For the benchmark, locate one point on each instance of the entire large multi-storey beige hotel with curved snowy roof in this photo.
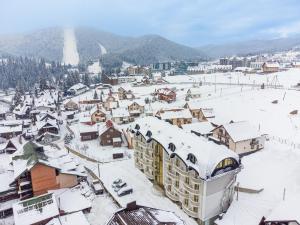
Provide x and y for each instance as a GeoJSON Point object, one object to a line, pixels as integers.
{"type": "Point", "coordinates": [196, 174]}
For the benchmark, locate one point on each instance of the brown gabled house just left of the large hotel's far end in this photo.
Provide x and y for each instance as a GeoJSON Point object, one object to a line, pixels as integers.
{"type": "Point", "coordinates": [109, 134]}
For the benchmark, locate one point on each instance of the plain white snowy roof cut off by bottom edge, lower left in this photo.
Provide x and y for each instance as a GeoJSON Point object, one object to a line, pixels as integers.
{"type": "Point", "coordinates": [77, 218]}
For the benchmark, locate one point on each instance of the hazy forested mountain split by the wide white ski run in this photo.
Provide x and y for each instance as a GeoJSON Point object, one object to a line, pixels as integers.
{"type": "Point", "coordinates": [48, 44]}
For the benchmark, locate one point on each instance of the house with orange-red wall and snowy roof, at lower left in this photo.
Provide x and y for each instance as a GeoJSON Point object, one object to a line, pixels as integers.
{"type": "Point", "coordinates": [38, 169]}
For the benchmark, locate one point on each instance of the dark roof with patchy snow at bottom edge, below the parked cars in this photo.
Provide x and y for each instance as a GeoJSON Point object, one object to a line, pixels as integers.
{"type": "Point", "coordinates": [142, 214]}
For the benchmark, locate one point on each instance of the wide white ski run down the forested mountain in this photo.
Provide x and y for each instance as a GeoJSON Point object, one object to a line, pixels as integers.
{"type": "Point", "coordinates": [70, 53]}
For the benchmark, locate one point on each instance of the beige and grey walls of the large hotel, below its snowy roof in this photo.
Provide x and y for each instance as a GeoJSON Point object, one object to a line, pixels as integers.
{"type": "Point", "coordinates": [200, 198]}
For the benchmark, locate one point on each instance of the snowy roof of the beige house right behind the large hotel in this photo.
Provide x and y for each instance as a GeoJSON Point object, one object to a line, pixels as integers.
{"type": "Point", "coordinates": [240, 131]}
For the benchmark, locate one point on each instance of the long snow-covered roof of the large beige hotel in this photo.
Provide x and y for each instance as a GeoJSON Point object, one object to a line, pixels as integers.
{"type": "Point", "coordinates": [207, 153]}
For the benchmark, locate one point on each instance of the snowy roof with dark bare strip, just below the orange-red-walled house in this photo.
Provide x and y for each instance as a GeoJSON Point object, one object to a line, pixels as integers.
{"type": "Point", "coordinates": [35, 209]}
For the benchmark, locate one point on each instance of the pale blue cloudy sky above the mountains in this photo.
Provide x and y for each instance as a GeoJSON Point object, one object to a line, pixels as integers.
{"type": "Point", "coordinates": [190, 22]}
